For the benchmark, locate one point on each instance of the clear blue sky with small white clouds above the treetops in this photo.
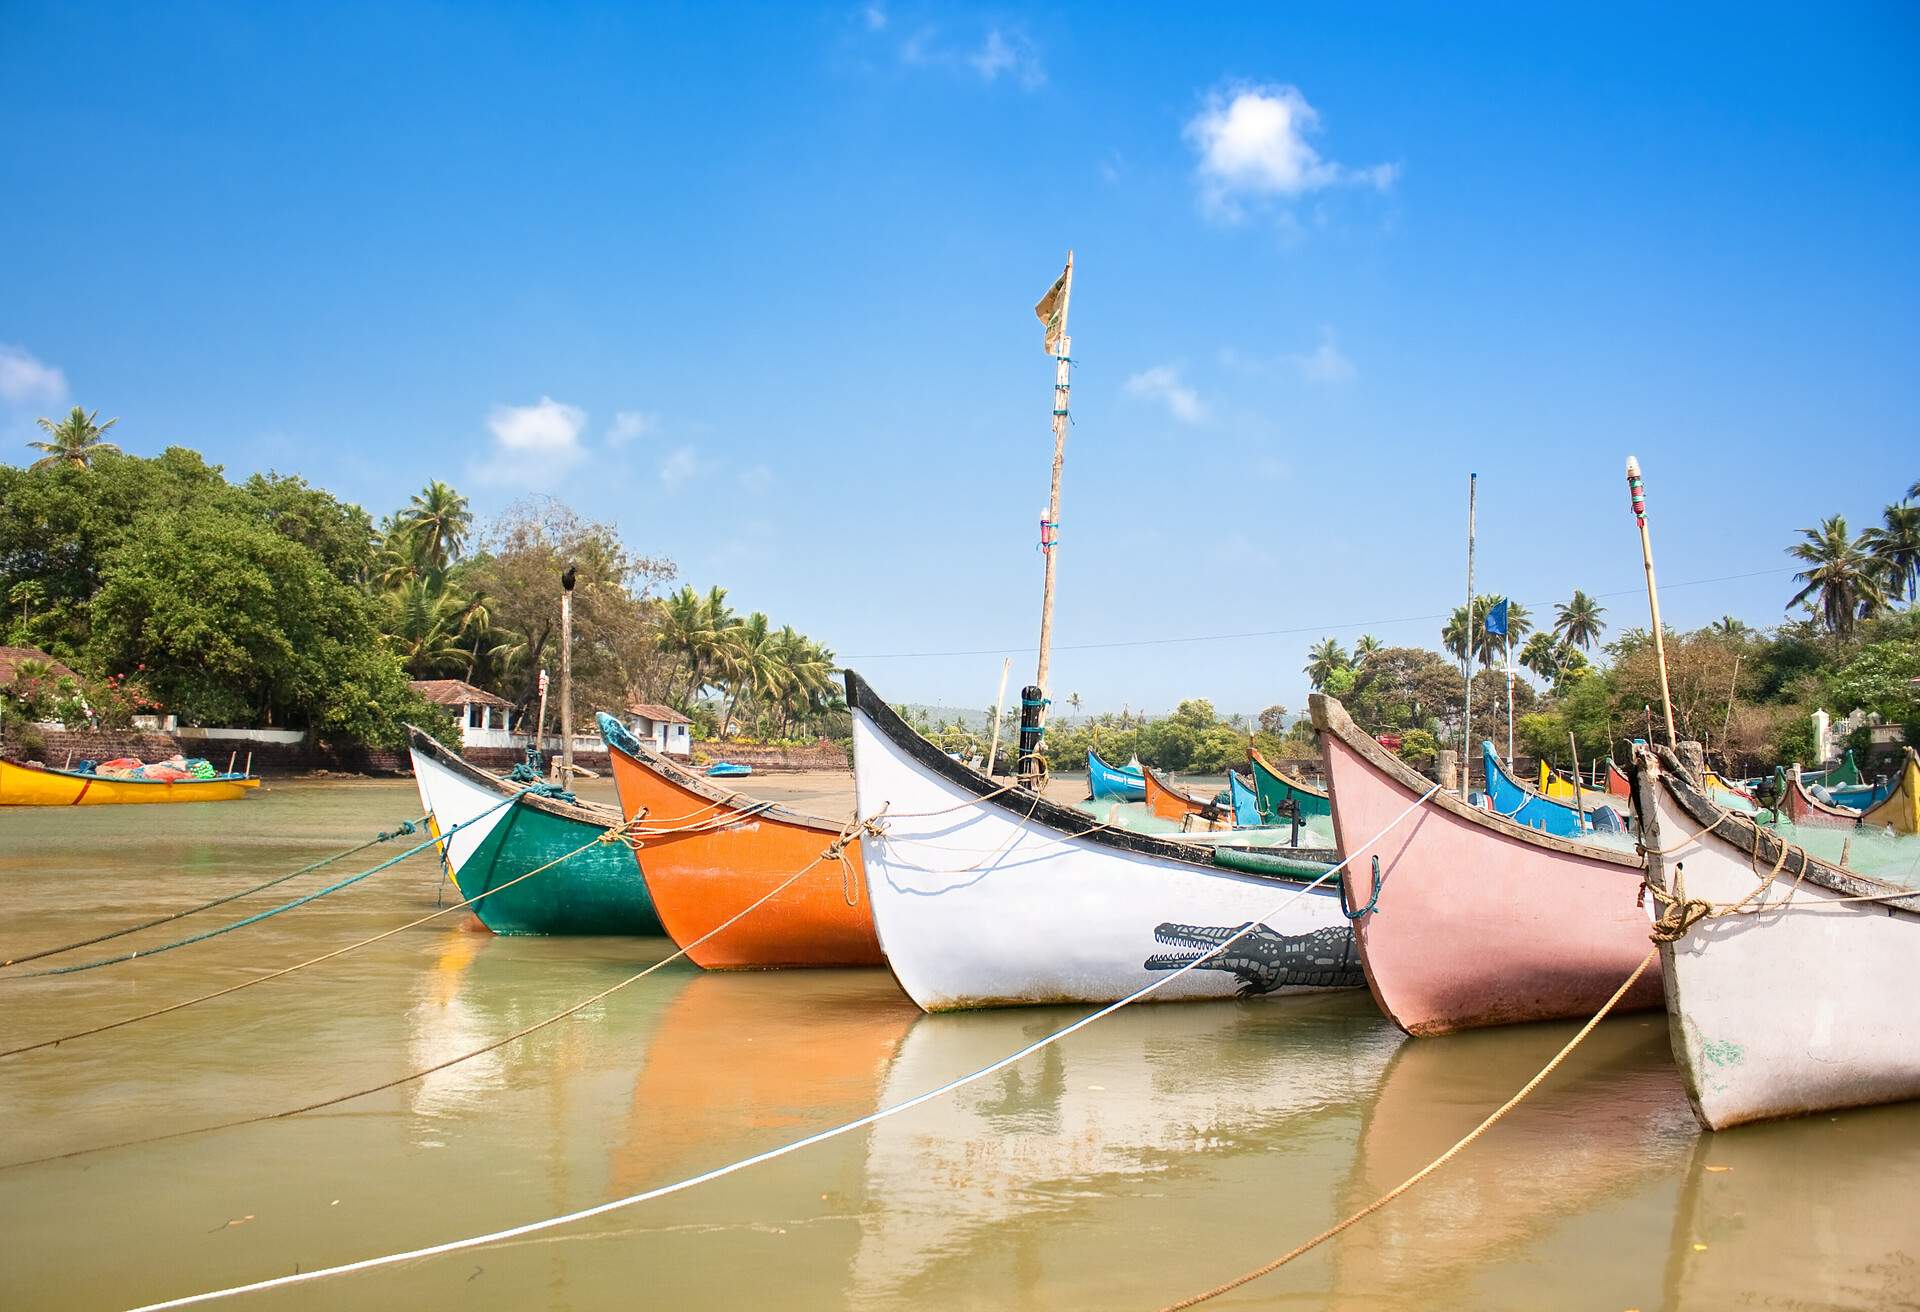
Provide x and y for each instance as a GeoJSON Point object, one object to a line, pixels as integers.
{"type": "Point", "coordinates": [757, 287]}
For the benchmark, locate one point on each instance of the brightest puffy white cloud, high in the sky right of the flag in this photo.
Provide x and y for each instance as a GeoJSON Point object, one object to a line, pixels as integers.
{"type": "Point", "coordinates": [1253, 143]}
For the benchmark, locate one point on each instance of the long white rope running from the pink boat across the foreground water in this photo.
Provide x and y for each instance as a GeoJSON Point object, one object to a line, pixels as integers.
{"type": "Point", "coordinates": [796, 1146]}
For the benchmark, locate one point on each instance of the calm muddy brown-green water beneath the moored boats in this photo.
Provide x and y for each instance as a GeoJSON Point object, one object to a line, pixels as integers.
{"type": "Point", "coordinates": [1140, 1161]}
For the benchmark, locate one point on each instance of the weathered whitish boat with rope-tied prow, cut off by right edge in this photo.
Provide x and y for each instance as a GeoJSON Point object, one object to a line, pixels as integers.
{"type": "Point", "coordinates": [1804, 1004]}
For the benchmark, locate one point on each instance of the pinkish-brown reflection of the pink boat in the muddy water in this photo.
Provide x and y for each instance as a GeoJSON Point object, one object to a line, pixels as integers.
{"type": "Point", "coordinates": [1547, 1200]}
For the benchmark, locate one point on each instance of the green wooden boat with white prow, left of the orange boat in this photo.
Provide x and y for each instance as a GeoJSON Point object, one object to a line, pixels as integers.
{"type": "Point", "coordinates": [592, 892]}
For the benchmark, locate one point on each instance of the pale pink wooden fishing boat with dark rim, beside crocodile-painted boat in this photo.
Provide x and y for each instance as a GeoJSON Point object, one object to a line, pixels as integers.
{"type": "Point", "coordinates": [1476, 921]}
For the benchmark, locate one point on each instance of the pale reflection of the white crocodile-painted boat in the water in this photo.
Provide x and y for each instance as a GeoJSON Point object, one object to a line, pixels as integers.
{"type": "Point", "coordinates": [1078, 1177]}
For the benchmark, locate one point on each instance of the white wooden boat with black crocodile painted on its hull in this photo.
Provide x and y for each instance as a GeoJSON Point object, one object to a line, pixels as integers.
{"type": "Point", "coordinates": [990, 896]}
